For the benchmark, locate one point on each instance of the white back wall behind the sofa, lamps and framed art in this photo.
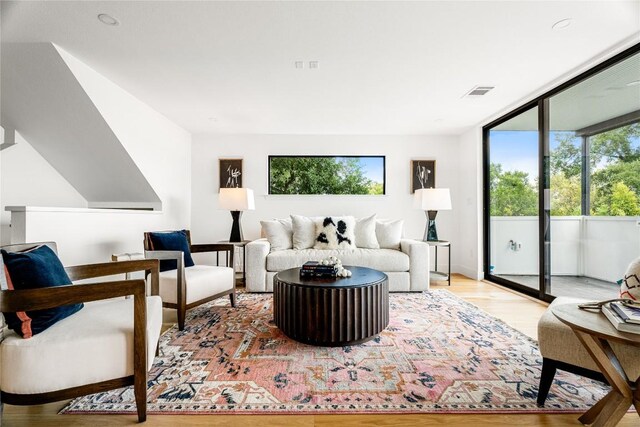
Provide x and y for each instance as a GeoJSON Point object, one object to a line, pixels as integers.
{"type": "Point", "coordinates": [209, 223]}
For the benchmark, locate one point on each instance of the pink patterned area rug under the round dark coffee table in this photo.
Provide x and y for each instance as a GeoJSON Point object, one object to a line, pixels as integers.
{"type": "Point", "coordinates": [439, 354]}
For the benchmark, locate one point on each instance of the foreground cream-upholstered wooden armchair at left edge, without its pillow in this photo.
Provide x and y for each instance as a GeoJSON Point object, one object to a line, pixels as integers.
{"type": "Point", "coordinates": [109, 343]}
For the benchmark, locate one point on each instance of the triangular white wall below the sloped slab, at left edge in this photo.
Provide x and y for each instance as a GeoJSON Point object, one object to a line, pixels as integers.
{"type": "Point", "coordinates": [28, 179]}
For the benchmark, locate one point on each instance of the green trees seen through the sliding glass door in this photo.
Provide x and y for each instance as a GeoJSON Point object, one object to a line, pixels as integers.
{"type": "Point", "coordinates": [615, 177]}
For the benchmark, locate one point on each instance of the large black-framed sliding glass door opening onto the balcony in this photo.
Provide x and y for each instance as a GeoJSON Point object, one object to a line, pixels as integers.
{"type": "Point", "coordinates": [562, 186]}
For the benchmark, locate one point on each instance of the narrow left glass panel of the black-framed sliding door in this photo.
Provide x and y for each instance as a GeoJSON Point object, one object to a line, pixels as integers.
{"type": "Point", "coordinates": [513, 149]}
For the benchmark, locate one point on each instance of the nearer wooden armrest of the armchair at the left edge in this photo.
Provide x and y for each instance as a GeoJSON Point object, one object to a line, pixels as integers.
{"type": "Point", "coordinates": [43, 298]}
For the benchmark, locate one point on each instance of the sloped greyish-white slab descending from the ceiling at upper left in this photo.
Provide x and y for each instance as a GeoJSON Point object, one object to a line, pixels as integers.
{"type": "Point", "coordinates": [43, 100]}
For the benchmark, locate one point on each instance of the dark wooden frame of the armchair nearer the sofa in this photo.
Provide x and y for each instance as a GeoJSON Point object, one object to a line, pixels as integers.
{"type": "Point", "coordinates": [181, 306]}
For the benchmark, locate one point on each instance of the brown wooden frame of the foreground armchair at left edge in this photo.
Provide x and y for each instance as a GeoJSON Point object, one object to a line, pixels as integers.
{"type": "Point", "coordinates": [39, 299]}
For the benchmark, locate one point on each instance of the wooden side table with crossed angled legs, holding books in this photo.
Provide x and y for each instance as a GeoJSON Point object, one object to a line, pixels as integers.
{"type": "Point", "coordinates": [595, 333]}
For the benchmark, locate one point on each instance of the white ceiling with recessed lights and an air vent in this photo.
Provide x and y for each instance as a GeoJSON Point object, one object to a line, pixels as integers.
{"type": "Point", "coordinates": [385, 67]}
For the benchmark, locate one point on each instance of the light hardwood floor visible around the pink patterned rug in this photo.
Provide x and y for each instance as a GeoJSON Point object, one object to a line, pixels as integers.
{"type": "Point", "coordinates": [518, 311]}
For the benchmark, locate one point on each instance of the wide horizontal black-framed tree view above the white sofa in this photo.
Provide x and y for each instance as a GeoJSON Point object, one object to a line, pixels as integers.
{"type": "Point", "coordinates": [327, 175]}
